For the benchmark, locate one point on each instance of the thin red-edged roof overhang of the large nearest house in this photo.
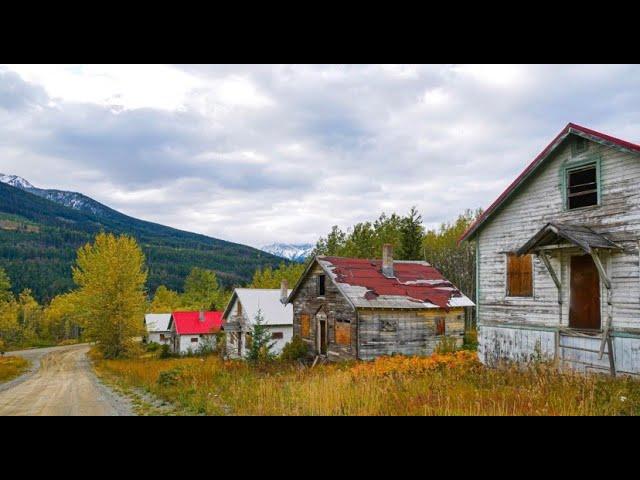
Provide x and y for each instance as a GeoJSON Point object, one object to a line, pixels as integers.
{"type": "Point", "coordinates": [570, 129]}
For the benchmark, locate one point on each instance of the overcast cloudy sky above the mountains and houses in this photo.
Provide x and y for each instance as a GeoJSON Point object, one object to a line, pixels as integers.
{"type": "Point", "coordinates": [258, 154]}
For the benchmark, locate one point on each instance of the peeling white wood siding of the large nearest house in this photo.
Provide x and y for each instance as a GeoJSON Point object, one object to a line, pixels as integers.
{"type": "Point", "coordinates": [540, 201]}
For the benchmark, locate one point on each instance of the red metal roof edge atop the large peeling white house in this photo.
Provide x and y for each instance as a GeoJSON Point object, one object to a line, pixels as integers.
{"type": "Point", "coordinates": [570, 128]}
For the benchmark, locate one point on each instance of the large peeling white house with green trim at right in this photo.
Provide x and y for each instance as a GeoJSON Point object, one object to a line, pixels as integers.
{"type": "Point", "coordinates": [558, 264]}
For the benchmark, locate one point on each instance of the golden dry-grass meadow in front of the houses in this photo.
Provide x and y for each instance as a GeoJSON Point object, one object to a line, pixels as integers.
{"type": "Point", "coordinates": [443, 384]}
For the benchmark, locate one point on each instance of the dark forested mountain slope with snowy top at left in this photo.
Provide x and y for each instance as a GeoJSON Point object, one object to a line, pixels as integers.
{"type": "Point", "coordinates": [39, 238]}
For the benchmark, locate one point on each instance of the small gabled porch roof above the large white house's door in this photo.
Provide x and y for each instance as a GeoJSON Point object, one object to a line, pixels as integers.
{"type": "Point", "coordinates": [576, 235]}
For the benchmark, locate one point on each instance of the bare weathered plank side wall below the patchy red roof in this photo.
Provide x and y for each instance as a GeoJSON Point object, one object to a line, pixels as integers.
{"type": "Point", "coordinates": [406, 332]}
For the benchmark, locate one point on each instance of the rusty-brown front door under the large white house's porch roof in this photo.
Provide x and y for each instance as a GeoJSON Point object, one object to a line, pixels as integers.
{"type": "Point", "coordinates": [584, 310]}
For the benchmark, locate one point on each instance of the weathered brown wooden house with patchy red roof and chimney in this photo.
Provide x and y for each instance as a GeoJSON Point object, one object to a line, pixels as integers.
{"type": "Point", "coordinates": [351, 308]}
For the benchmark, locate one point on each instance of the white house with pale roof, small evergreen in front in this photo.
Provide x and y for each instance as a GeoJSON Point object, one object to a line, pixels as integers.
{"type": "Point", "coordinates": [242, 310]}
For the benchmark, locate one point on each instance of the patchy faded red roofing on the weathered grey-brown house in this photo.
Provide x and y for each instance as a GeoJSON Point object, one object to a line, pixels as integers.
{"type": "Point", "coordinates": [417, 281]}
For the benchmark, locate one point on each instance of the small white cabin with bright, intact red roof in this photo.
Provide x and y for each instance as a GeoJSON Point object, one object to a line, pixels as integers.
{"type": "Point", "coordinates": [192, 332]}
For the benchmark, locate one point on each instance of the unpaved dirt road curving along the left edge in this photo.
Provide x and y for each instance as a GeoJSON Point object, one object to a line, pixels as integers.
{"type": "Point", "coordinates": [62, 384]}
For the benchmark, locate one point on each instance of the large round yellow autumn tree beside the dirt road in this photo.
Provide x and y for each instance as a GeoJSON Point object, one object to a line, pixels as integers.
{"type": "Point", "coordinates": [111, 275]}
